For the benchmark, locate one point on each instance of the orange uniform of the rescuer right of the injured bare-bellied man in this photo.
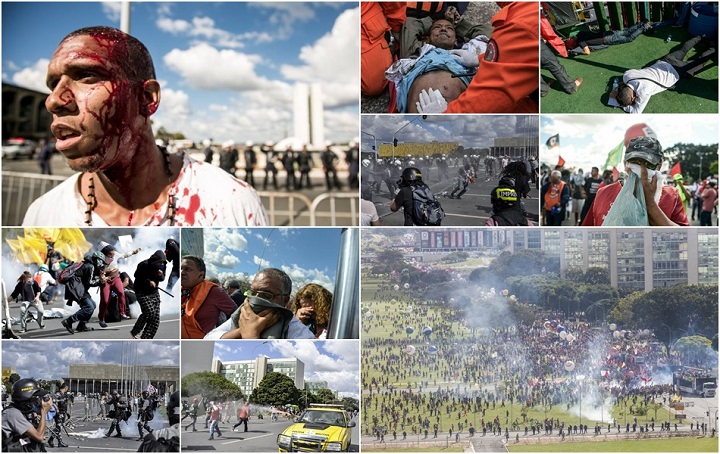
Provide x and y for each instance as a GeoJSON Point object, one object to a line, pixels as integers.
{"type": "Point", "coordinates": [508, 71]}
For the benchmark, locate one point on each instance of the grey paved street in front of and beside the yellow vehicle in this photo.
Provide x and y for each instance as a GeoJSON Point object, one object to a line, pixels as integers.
{"type": "Point", "coordinates": [260, 437]}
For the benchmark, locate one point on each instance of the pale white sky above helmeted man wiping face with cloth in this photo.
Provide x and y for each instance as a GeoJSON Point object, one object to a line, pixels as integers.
{"type": "Point", "coordinates": [586, 140]}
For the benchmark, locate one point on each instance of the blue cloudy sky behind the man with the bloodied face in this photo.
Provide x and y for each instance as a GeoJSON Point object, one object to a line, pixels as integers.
{"type": "Point", "coordinates": [227, 69]}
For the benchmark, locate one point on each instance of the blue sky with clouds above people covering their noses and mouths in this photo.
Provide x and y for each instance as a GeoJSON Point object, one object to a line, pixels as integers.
{"type": "Point", "coordinates": [306, 255]}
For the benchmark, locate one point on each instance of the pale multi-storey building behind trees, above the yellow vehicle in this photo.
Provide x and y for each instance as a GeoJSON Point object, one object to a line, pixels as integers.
{"type": "Point", "coordinates": [248, 374]}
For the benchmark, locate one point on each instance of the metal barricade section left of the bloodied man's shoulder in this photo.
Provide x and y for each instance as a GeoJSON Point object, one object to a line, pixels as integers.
{"type": "Point", "coordinates": [19, 191]}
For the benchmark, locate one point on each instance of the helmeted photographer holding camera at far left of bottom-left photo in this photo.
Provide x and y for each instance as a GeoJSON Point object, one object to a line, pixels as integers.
{"type": "Point", "coordinates": [24, 420]}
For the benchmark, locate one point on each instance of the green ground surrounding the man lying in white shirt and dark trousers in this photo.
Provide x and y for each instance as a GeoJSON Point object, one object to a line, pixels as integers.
{"type": "Point", "coordinates": [695, 95]}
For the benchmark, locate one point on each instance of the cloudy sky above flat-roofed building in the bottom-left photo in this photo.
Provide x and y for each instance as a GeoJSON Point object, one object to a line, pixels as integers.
{"type": "Point", "coordinates": [49, 360]}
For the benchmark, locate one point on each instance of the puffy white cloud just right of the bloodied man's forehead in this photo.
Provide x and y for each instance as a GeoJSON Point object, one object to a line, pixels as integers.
{"type": "Point", "coordinates": [206, 67]}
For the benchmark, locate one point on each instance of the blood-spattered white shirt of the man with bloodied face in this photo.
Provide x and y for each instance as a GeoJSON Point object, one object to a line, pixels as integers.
{"type": "Point", "coordinates": [205, 195]}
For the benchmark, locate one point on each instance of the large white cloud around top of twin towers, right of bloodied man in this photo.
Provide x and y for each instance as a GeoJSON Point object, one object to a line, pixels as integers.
{"type": "Point", "coordinates": [333, 61]}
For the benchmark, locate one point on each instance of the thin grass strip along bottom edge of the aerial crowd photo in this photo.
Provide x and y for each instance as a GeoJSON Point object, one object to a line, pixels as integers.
{"type": "Point", "coordinates": [670, 445]}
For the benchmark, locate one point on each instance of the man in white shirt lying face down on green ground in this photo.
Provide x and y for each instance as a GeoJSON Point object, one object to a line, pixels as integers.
{"type": "Point", "coordinates": [639, 85]}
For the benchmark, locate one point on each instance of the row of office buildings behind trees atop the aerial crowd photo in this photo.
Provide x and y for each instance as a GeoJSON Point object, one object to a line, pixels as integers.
{"type": "Point", "coordinates": [638, 258]}
